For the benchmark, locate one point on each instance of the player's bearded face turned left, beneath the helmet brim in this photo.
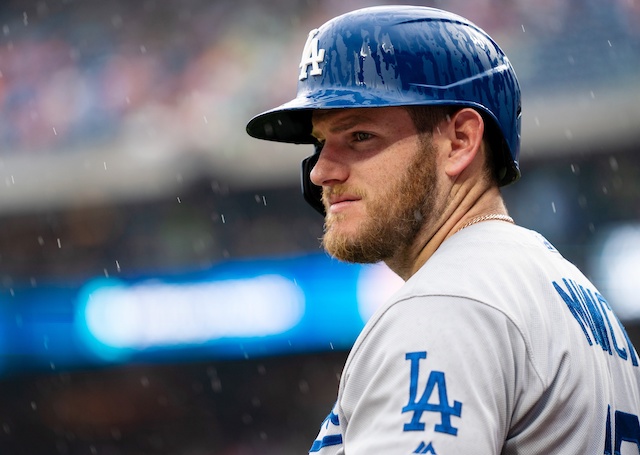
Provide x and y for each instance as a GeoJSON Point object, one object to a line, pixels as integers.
{"type": "Point", "coordinates": [378, 179]}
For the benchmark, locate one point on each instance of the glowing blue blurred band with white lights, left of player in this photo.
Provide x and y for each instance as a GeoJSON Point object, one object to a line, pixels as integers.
{"type": "Point", "coordinates": [235, 309]}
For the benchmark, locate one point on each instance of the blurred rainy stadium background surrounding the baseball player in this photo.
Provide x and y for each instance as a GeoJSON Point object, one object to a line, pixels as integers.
{"type": "Point", "coordinates": [162, 288]}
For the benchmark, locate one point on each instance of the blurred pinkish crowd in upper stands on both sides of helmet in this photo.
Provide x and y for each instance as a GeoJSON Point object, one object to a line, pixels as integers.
{"type": "Point", "coordinates": [77, 73]}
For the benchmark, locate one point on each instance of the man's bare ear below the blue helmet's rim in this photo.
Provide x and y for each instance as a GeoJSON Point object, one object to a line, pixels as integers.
{"type": "Point", "coordinates": [464, 131]}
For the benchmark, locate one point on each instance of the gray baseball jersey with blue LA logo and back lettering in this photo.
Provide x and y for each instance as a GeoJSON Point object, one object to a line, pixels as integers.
{"type": "Point", "coordinates": [497, 345]}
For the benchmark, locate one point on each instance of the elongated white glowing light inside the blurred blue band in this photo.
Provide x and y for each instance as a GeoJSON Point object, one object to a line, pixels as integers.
{"type": "Point", "coordinates": [153, 314]}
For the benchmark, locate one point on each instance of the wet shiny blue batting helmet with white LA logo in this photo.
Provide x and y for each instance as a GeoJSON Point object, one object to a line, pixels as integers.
{"type": "Point", "coordinates": [399, 56]}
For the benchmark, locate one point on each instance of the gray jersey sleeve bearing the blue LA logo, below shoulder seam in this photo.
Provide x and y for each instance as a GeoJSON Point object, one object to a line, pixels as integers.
{"type": "Point", "coordinates": [435, 375]}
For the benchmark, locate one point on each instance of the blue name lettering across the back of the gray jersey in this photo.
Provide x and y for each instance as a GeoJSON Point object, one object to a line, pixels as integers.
{"type": "Point", "coordinates": [594, 315]}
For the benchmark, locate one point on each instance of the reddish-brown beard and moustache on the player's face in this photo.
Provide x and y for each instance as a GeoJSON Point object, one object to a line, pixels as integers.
{"type": "Point", "coordinates": [392, 220]}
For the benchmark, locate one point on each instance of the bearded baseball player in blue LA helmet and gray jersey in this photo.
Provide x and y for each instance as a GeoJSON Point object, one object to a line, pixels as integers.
{"type": "Point", "coordinates": [495, 344]}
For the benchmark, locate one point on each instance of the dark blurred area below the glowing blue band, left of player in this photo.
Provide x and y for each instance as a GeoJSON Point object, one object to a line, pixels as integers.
{"type": "Point", "coordinates": [268, 406]}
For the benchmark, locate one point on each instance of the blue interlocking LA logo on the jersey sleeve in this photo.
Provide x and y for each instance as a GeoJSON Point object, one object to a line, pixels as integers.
{"type": "Point", "coordinates": [419, 406]}
